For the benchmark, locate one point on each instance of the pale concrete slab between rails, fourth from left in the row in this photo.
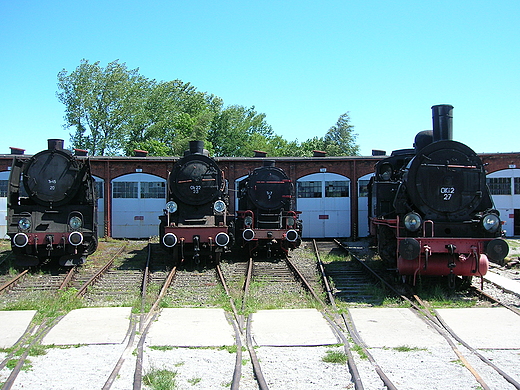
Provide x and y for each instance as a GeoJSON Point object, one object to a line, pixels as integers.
{"type": "Point", "coordinates": [297, 327]}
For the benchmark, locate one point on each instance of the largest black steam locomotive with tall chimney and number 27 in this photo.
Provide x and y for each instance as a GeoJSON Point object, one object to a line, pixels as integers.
{"type": "Point", "coordinates": [430, 209]}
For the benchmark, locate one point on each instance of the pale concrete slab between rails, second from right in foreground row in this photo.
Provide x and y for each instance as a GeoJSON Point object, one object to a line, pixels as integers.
{"type": "Point", "coordinates": [394, 327]}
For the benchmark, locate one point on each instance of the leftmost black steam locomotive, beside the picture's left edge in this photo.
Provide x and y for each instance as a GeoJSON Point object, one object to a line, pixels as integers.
{"type": "Point", "coordinates": [51, 207]}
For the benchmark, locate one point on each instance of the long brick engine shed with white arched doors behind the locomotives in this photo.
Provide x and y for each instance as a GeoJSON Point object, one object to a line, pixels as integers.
{"type": "Point", "coordinates": [330, 191]}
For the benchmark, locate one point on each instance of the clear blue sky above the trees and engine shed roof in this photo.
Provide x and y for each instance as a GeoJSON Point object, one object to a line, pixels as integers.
{"type": "Point", "coordinates": [301, 63]}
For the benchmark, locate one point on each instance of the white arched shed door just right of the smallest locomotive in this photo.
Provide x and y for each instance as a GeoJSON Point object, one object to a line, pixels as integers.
{"type": "Point", "coordinates": [323, 198]}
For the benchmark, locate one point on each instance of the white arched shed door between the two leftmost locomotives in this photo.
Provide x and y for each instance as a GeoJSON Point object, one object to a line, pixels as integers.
{"type": "Point", "coordinates": [137, 201]}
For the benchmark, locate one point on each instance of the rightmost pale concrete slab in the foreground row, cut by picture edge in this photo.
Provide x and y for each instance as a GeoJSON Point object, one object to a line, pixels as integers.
{"type": "Point", "coordinates": [493, 328]}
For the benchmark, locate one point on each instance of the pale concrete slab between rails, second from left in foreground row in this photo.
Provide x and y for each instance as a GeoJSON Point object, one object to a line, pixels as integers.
{"type": "Point", "coordinates": [92, 325]}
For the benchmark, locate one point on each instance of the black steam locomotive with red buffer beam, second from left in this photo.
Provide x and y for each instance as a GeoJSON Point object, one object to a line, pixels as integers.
{"type": "Point", "coordinates": [195, 218]}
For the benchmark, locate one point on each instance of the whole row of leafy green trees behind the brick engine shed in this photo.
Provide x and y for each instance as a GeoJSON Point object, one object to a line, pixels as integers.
{"type": "Point", "coordinates": [115, 110]}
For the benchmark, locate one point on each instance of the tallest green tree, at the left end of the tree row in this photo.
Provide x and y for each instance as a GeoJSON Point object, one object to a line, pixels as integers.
{"type": "Point", "coordinates": [99, 103]}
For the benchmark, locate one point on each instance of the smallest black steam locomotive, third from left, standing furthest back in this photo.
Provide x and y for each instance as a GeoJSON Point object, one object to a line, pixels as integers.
{"type": "Point", "coordinates": [266, 218]}
